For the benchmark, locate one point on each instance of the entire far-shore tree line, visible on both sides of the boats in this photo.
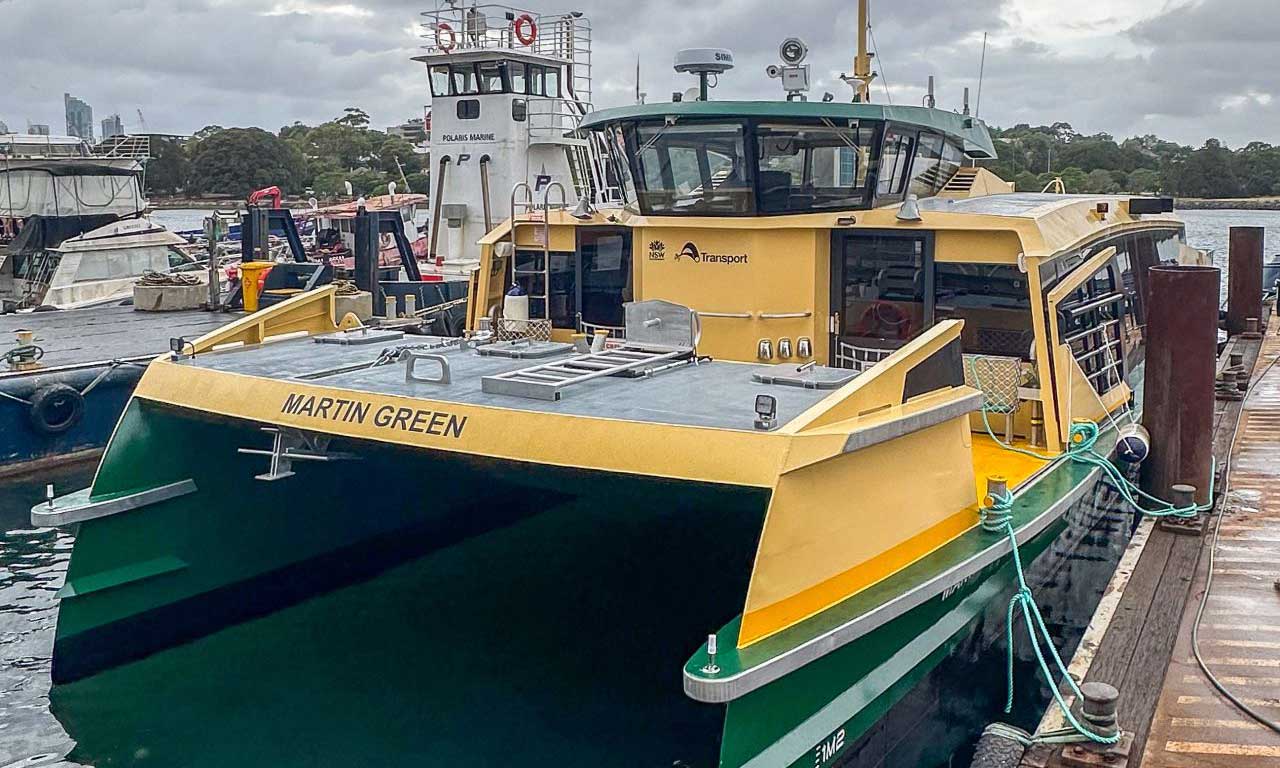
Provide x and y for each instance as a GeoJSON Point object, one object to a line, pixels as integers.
{"type": "Point", "coordinates": [232, 162]}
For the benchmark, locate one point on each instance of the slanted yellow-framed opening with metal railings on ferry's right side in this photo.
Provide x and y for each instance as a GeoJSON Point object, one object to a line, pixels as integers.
{"type": "Point", "coordinates": [1086, 317]}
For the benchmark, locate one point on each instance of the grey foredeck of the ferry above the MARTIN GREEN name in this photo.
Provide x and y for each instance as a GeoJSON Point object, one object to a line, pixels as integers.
{"type": "Point", "coordinates": [715, 395]}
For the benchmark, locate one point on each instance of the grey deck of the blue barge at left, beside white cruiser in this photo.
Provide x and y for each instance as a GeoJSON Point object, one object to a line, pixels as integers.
{"type": "Point", "coordinates": [74, 337]}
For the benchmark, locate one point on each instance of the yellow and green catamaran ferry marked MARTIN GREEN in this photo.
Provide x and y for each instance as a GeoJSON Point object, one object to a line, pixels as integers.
{"type": "Point", "coordinates": [726, 446]}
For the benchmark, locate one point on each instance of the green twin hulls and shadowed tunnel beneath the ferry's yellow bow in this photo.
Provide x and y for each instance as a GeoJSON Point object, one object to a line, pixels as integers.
{"type": "Point", "coordinates": [612, 578]}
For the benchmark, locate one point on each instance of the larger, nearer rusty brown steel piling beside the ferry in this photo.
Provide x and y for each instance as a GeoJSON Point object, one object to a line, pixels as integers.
{"type": "Point", "coordinates": [1180, 386]}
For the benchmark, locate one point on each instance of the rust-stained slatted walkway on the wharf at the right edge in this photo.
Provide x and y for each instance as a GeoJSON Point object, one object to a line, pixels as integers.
{"type": "Point", "coordinates": [1241, 633]}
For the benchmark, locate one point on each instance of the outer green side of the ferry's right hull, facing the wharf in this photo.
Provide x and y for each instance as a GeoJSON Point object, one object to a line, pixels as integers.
{"type": "Point", "coordinates": [877, 698]}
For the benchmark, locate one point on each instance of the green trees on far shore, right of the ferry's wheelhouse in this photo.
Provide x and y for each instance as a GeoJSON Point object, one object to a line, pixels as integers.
{"type": "Point", "coordinates": [1034, 157]}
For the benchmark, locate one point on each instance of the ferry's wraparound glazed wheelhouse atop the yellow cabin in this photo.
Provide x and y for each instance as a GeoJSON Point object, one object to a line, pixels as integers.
{"type": "Point", "coordinates": [764, 159]}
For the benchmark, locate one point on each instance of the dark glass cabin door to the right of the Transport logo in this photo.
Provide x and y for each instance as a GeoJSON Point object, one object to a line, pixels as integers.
{"type": "Point", "coordinates": [883, 295]}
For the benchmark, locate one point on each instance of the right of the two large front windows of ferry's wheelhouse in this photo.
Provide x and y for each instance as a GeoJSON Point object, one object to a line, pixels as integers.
{"type": "Point", "coordinates": [806, 168]}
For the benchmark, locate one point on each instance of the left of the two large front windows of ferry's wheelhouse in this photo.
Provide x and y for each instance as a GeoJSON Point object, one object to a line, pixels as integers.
{"type": "Point", "coordinates": [694, 170]}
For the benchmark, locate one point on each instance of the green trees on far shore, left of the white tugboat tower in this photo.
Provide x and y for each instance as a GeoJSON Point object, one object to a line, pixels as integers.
{"type": "Point", "coordinates": [300, 159]}
